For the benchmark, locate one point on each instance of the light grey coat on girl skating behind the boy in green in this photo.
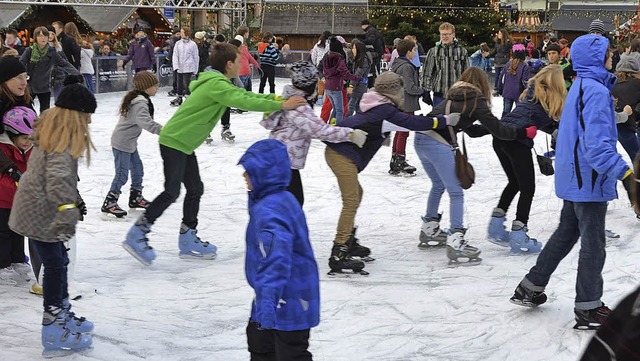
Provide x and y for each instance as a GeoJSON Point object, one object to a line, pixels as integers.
{"type": "Point", "coordinates": [125, 135]}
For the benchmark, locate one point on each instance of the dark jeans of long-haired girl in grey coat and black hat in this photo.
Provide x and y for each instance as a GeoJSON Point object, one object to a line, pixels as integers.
{"type": "Point", "coordinates": [54, 260]}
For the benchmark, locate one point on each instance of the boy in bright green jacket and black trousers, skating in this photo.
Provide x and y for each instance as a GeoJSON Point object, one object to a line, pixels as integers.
{"type": "Point", "coordinates": [211, 94]}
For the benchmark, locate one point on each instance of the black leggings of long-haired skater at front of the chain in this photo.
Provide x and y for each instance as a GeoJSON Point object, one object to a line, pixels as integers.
{"type": "Point", "coordinates": [517, 162]}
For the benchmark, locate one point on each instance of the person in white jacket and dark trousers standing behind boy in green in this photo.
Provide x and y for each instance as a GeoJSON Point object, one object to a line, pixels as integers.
{"type": "Point", "coordinates": [185, 62]}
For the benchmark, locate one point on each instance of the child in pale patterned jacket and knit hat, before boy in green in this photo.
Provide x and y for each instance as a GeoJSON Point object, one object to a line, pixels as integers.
{"type": "Point", "coordinates": [295, 128]}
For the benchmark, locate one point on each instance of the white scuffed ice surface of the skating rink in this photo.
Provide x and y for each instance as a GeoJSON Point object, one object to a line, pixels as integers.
{"type": "Point", "coordinates": [412, 306]}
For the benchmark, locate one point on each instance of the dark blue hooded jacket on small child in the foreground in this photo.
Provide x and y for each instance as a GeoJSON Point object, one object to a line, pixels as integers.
{"type": "Point", "coordinates": [279, 265]}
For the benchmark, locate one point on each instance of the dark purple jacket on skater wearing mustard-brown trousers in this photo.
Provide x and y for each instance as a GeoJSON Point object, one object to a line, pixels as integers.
{"type": "Point", "coordinates": [376, 109]}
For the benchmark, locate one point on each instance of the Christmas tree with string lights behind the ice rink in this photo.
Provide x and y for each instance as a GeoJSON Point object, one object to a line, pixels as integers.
{"type": "Point", "coordinates": [475, 21]}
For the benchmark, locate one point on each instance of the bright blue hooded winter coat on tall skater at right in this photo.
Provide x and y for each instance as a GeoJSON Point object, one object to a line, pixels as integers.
{"type": "Point", "coordinates": [587, 162]}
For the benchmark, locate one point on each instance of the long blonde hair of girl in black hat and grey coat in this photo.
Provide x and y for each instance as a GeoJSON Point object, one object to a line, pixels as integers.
{"type": "Point", "coordinates": [60, 130]}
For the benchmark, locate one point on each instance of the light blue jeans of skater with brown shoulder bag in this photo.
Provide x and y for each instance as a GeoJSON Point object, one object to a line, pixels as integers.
{"type": "Point", "coordinates": [438, 160]}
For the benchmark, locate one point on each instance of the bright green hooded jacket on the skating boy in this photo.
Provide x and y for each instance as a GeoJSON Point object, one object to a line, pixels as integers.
{"type": "Point", "coordinates": [210, 96]}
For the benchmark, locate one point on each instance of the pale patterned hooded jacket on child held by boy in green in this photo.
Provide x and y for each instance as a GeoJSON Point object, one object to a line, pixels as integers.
{"type": "Point", "coordinates": [295, 128]}
